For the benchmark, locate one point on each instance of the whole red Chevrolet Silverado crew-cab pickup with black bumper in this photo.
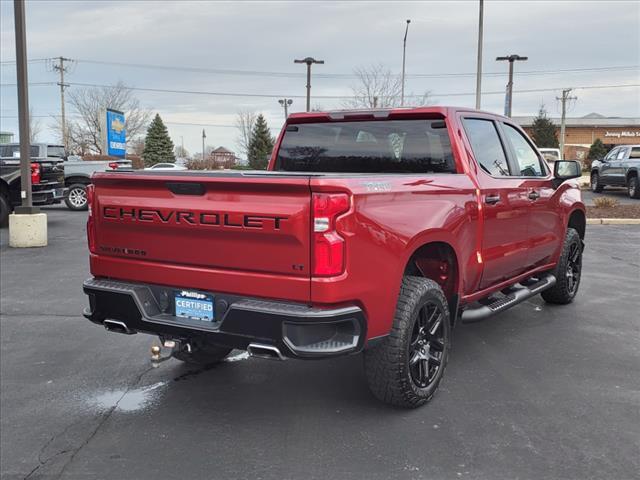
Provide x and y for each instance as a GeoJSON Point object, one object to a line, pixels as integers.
{"type": "Point", "coordinates": [372, 231]}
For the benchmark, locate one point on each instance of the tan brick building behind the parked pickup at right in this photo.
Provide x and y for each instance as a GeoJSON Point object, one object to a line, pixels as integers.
{"type": "Point", "coordinates": [581, 132]}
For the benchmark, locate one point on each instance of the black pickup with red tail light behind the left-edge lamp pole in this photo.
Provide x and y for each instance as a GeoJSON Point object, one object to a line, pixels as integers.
{"type": "Point", "coordinates": [47, 179]}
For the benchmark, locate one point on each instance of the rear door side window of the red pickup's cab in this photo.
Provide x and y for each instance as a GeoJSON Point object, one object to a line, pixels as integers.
{"type": "Point", "coordinates": [486, 146]}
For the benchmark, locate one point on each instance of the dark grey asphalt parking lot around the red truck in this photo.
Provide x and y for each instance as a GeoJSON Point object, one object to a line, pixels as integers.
{"type": "Point", "coordinates": [537, 392]}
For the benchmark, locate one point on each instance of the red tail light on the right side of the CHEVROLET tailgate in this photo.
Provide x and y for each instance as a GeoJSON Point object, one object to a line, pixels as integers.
{"type": "Point", "coordinates": [328, 245]}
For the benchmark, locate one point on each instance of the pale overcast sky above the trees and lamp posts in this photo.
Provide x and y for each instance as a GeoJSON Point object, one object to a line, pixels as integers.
{"type": "Point", "coordinates": [267, 36]}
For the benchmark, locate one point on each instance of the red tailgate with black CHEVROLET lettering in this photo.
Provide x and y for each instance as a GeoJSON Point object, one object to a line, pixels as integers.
{"type": "Point", "coordinates": [231, 221]}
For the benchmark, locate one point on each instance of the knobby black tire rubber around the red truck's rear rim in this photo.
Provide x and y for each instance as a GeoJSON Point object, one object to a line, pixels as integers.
{"type": "Point", "coordinates": [387, 364]}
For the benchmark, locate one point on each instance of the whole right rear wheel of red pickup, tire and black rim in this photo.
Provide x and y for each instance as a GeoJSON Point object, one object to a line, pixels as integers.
{"type": "Point", "coordinates": [407, 367]}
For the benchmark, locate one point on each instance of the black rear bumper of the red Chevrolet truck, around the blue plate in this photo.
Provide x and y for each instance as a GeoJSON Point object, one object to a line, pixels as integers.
{"type": "Point", "coordinates": [296, 330]}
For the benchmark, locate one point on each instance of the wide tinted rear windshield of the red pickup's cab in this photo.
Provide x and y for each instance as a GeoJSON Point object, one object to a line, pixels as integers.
{"type": "Point", "coordinates": [383, 146]}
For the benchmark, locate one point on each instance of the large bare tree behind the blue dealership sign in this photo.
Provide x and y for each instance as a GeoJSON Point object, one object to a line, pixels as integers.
{"type": "Point", "coordinates": [85, 133]}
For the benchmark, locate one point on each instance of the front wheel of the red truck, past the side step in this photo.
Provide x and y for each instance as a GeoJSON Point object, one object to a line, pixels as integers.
{"type": "Point", "coordinates": [567, 272]}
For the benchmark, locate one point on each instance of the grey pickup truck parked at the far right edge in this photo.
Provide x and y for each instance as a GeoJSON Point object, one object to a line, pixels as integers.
{"type": "Point", "coordinates": [619, 168]}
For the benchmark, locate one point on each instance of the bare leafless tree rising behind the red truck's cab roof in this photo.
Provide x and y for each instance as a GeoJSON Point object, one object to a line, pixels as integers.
{"type": "Point", "coordinates": [379, 87]}
